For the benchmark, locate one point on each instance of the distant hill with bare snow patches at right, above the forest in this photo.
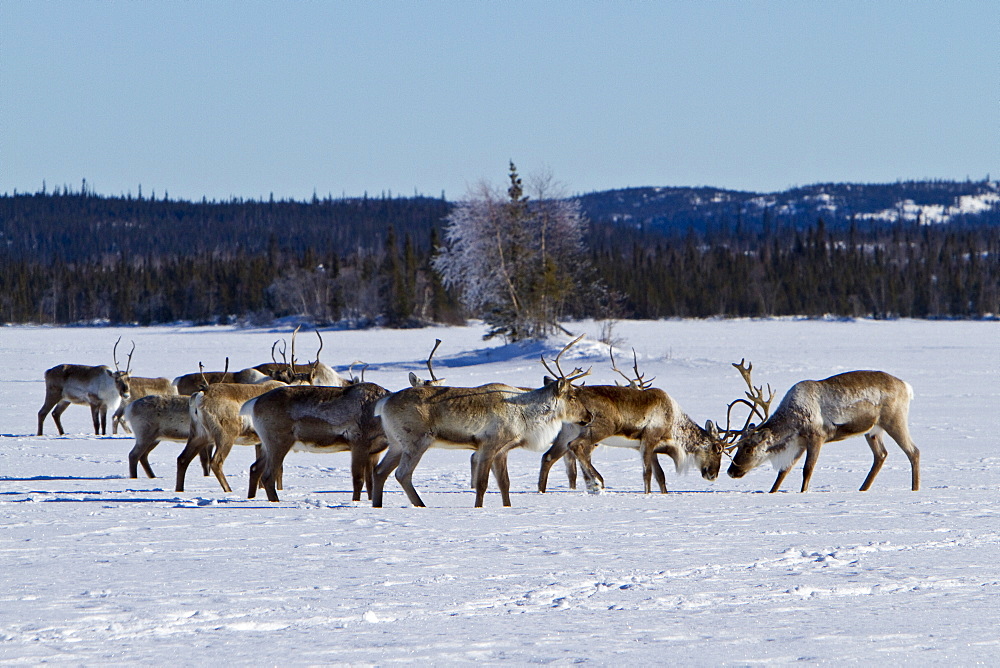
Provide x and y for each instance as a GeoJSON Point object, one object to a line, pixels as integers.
{"type": "Point", "coordinates": [677, 209]}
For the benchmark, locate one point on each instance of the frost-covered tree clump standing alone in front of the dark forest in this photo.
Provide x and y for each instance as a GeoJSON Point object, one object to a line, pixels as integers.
{"type": "Point", "coordinates": [514, 261]}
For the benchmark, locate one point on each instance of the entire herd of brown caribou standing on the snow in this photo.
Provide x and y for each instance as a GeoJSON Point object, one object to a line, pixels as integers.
{"type": "Point", "coordinates": [284, 406]}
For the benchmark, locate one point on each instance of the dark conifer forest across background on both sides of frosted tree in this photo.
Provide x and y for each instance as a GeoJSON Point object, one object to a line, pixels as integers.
{"type": "Point", "coordinates": [70, 257]}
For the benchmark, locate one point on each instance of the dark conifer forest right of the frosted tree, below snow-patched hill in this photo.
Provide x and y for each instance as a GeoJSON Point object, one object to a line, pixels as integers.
{"type": "Point", "coordinates": [881, 271]}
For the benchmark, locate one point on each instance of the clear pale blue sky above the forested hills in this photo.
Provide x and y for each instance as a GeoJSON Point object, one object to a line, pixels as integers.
{"type": "Point", "coordinates": [246, 99]}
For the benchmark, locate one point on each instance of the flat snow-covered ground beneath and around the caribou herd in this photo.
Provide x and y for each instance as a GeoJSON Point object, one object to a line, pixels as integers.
{"type": "Point", "coordinates": [96, 568]}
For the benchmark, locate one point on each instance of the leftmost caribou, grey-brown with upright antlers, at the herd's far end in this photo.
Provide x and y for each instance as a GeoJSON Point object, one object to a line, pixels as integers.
{"type": "Point", "coordinates": [94, 386]}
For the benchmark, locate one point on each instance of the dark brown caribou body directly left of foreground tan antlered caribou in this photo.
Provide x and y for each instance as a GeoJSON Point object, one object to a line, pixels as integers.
{"type": "Point", "coordinates": [316, 419]}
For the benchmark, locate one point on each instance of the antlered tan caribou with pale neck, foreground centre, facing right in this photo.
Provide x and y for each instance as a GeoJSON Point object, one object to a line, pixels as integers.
{"type": "Point", "coordinates": [491, 419]}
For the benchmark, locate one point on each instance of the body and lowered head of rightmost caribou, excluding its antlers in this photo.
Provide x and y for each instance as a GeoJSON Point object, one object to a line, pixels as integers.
{"type": "Point", "coordinates": [815, 412]}
